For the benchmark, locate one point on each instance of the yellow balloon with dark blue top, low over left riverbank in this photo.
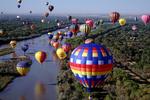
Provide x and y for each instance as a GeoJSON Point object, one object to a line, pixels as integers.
{"type": "Point", "coordinates": [23, 67]}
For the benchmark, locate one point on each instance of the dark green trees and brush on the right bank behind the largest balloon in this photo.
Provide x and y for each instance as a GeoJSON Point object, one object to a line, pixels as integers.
{"type": "Point", "coordinates": [130, 79]}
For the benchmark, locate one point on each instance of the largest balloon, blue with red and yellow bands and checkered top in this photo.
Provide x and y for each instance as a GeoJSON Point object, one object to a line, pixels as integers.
{"type": "Point", "coordinates": [91, 64]}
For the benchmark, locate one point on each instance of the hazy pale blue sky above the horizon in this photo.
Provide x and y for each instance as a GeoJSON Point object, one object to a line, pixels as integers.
{"type": "Point", "coordinates": [77, 6]}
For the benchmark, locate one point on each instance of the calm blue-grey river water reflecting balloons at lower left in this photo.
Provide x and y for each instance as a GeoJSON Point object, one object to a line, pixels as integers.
{"type": "Point", "coordinates": [45, 73]}
